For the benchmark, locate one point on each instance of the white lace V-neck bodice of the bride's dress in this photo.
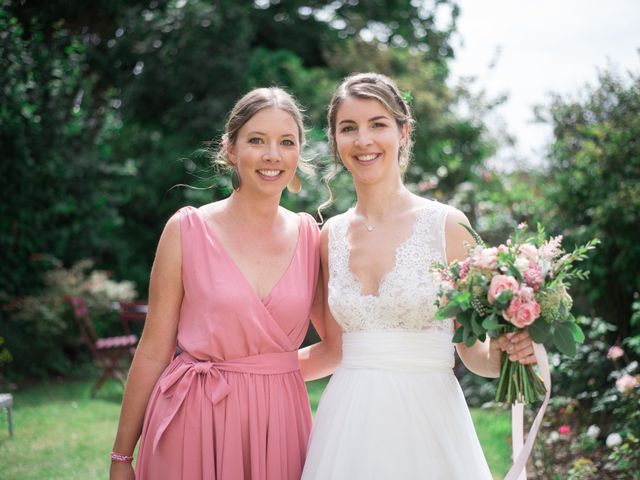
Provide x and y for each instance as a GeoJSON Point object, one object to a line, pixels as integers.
{"type": "Point", "coordinates": [407, 292]}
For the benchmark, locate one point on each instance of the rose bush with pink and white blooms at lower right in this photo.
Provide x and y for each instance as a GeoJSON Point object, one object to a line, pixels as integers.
{"type": "Point", "coordinates": [595, 430]}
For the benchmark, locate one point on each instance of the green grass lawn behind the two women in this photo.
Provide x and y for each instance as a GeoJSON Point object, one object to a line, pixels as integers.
{"type": "Point", "coordinates": [62, 433]}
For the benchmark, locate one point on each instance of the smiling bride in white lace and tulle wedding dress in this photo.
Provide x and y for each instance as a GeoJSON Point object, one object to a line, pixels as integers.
{"type": "Point", "coordinates": [393, 408]}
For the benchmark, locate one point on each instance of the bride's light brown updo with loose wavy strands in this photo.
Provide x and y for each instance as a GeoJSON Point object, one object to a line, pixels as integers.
{"type": "Point", "coordinates": [368, 86]}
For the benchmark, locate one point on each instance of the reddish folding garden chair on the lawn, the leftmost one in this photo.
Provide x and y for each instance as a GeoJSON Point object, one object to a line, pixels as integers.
{"type": "Point", "coordinates": [112, 354]}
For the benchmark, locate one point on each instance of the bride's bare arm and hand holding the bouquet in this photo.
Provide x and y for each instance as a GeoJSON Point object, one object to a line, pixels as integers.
{"type": "Point", "coordinates": [483, 358]}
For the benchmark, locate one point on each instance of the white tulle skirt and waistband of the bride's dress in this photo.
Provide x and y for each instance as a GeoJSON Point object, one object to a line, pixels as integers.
{"type": "Point", "coordinates": [394, 410]}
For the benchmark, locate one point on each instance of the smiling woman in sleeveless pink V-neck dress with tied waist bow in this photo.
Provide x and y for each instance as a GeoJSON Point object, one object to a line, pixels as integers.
{"type": "Point", "coordinates": [232, 287]}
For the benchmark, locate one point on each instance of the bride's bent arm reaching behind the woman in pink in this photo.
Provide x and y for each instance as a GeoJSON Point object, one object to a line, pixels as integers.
{"type": "Point", "coordinates": [322, 358]}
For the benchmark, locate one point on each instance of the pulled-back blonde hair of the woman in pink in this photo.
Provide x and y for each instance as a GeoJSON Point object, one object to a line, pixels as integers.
{"type": "Point", "coordinates": [251, 103]}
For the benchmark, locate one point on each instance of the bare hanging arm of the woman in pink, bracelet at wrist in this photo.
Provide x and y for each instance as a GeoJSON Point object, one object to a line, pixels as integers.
{"type": "Point", "coordinates": [157, 345]}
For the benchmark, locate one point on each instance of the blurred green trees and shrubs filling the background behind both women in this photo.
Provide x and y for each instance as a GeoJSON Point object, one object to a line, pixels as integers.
{"type": "Point", "coordinates": [105, 107]}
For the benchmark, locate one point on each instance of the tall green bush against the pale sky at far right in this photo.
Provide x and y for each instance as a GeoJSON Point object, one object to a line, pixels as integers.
{"type": "Point", "coordinates": [594, 187]}
